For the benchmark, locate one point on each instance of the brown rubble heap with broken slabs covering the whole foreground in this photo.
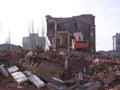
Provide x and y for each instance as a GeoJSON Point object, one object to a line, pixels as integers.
{"type": "Point", "coordinates": [76, 70]}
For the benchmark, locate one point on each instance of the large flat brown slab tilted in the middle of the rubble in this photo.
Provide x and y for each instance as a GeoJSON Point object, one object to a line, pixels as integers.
{"type": "Point", "coordinates": [46, 70]}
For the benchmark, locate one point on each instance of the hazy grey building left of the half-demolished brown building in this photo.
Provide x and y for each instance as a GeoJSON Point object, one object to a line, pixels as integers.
{"type": "Point", "coordinates": [33, 40]}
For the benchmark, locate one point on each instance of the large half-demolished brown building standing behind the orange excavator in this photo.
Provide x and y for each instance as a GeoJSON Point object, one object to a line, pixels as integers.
{"type": "Point", "coordinates": [60, 31]}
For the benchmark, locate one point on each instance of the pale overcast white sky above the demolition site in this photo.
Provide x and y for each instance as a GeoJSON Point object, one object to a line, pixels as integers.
{"type": "Point", "coordinates": [16, 15]}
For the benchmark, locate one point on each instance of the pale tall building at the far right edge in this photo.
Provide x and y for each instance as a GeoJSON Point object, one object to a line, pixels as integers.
{"type": "Point", "coordinates": [116, 42]}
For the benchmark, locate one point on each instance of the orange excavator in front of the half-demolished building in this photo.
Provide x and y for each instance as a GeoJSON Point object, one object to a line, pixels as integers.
{"type": "Point", "coordinates": [78, 43]}
